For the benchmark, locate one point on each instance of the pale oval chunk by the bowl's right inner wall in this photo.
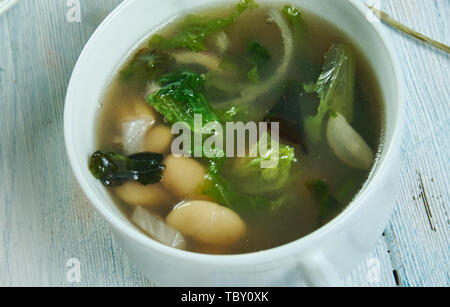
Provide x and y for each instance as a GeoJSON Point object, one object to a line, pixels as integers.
{"type": "Point", "coordinates": [347, 144]}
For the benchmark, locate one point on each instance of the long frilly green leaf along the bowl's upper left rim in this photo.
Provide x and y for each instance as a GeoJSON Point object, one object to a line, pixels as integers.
{"type": "Point", "coordinates": [198, 28]}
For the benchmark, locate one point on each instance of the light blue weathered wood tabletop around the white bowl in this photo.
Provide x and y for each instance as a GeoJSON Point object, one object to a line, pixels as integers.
{"type": "Point", "coordinates": [45, 220]}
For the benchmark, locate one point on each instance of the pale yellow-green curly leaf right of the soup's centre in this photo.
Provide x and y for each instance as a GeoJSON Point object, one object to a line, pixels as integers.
{"type": "Point", "coordinates": [255, 179]}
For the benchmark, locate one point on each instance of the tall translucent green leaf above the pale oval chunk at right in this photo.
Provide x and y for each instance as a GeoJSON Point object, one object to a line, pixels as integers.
{"type": "Point", "coordinates": [336, 89]}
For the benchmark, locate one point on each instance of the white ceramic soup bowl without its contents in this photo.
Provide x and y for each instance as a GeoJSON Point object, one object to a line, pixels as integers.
{"type": "Point", "coordinates": [323, 257]}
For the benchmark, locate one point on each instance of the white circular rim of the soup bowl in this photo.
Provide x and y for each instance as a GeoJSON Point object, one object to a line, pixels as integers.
{"type": "Point", "coordinates": [268, 255]}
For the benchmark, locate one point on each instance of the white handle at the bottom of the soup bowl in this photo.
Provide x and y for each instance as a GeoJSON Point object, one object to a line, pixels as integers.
{"type": "Point", "coordinates": [319, 272]}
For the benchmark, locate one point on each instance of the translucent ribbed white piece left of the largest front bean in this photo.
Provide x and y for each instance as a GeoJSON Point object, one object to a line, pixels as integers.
{"type": "Point", "coordinates": [158, 229]}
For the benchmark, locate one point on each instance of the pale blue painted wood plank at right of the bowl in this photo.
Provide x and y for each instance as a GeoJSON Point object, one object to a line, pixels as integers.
{"type": "Point", "coordinates": [418, 234]}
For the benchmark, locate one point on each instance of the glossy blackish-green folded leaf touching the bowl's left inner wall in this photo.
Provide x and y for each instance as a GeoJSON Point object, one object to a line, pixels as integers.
{"type": "Point", "coordinates": [114, 169]}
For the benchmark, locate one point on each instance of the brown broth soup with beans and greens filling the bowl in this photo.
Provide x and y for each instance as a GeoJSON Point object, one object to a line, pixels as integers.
{"type": "Point", "coordinates": [302, 84]}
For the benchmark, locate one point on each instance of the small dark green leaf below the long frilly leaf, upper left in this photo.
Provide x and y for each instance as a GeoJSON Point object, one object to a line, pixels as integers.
{"type": "Point", "coordinates": [145, 64]}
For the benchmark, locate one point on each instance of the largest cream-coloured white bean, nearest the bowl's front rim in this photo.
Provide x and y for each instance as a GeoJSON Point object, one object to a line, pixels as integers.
{"type": "Point", "coordinates": [207, 223]}
